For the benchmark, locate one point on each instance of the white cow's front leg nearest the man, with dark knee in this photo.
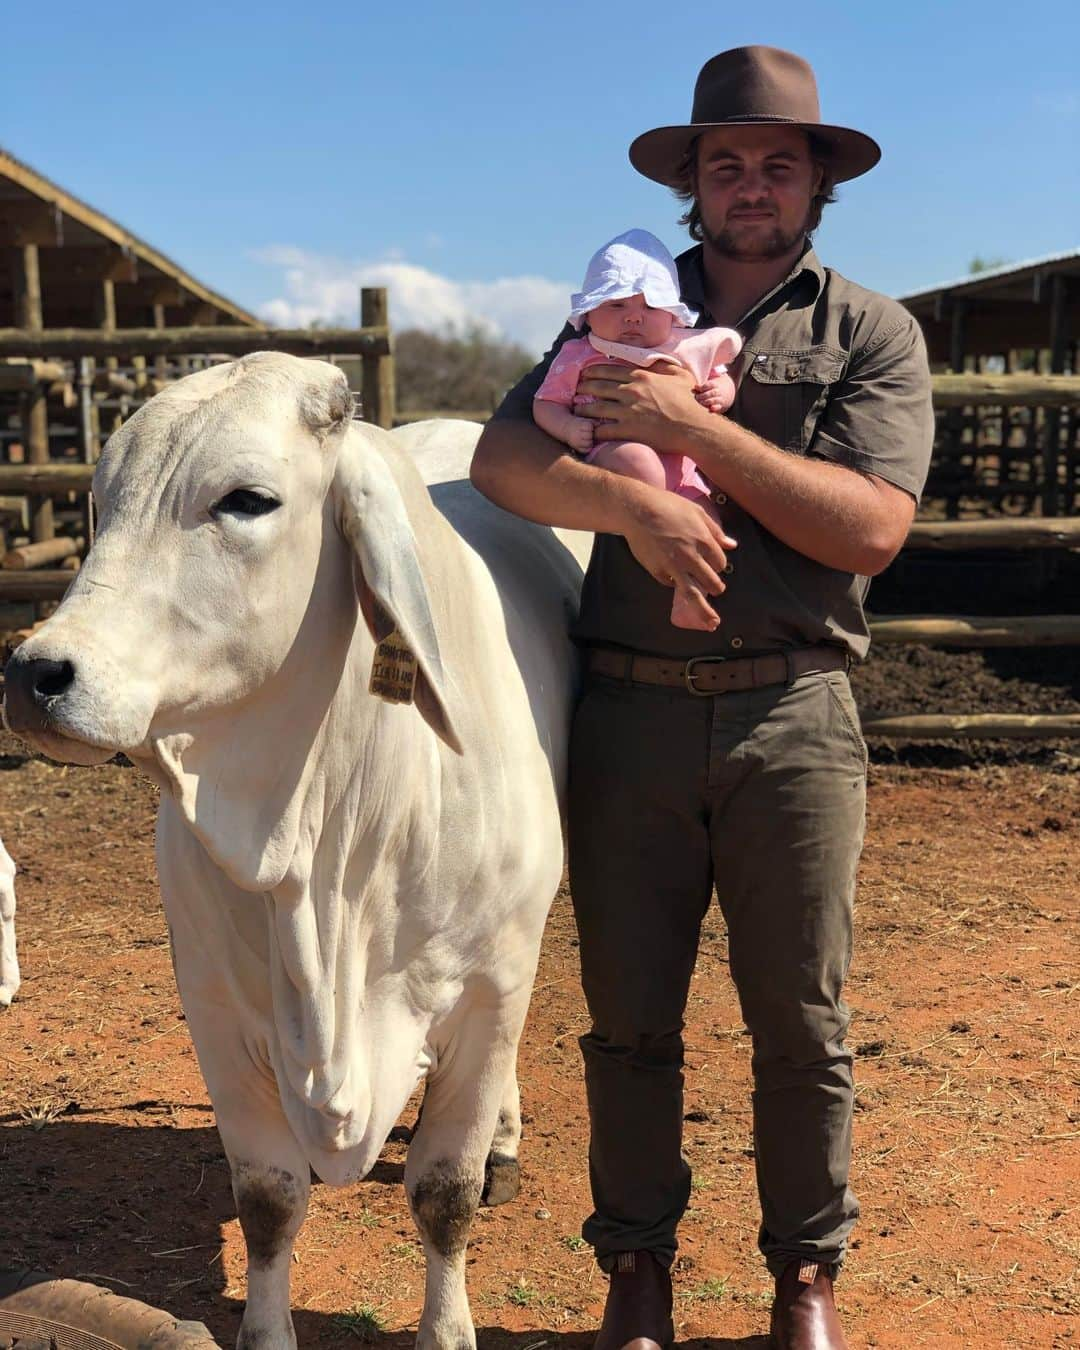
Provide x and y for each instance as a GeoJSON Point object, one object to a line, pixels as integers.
{"type": "Point", "coordinates": [445, 1171]}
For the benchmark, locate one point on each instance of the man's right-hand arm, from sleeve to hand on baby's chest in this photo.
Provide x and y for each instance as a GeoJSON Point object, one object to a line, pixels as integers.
{"type": "Point", "coordinates": [834, 510]}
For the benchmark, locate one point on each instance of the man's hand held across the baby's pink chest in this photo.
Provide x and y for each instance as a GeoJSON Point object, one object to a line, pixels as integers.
{"type": "Point", "coordinates": [655, 407]}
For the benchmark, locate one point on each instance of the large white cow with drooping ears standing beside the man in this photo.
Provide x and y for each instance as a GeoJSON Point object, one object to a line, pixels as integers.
{"type": "Point", "coordinates": [356, 889]}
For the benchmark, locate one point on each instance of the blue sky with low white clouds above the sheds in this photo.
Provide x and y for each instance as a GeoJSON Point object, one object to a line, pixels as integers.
{"type": "Point", "coordinates": [473, 157]}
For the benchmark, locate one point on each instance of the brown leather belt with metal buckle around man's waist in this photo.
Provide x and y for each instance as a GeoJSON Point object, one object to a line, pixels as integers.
{"type": "Point", "coordinates": [708, 676]}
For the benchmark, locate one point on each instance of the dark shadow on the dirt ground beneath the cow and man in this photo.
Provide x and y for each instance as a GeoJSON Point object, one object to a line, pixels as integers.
{"type": "Point", "coordinates": [140, 1210]}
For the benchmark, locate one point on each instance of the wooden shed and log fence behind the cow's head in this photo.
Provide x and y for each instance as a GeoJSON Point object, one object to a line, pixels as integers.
{"type": "Point", "coordinates": [95, 322]}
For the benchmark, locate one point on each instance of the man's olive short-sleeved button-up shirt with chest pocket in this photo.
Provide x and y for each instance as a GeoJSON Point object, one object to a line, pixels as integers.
{"type": "Point", "coordinates": [828, 371]}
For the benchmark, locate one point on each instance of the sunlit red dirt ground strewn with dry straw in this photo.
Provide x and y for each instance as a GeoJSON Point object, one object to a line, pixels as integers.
{"type": "Point", "coordinates": [967, 1009]}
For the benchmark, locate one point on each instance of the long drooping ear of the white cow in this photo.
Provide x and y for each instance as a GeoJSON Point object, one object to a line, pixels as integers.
{"type": "Point", "coordinates": [391, 587]}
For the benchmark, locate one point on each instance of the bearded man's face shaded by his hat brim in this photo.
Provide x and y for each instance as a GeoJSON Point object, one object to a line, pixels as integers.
{"type": "Point", "coordinates": [754, 190]}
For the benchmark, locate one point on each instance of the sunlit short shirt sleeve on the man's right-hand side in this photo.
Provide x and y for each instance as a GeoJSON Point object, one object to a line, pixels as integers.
{"type": "Point", "coordinates": [881, 419]}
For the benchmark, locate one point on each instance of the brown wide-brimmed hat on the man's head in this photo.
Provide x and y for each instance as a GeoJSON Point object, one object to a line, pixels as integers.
{"type": "Point", "coordinates": [750, 86]}
